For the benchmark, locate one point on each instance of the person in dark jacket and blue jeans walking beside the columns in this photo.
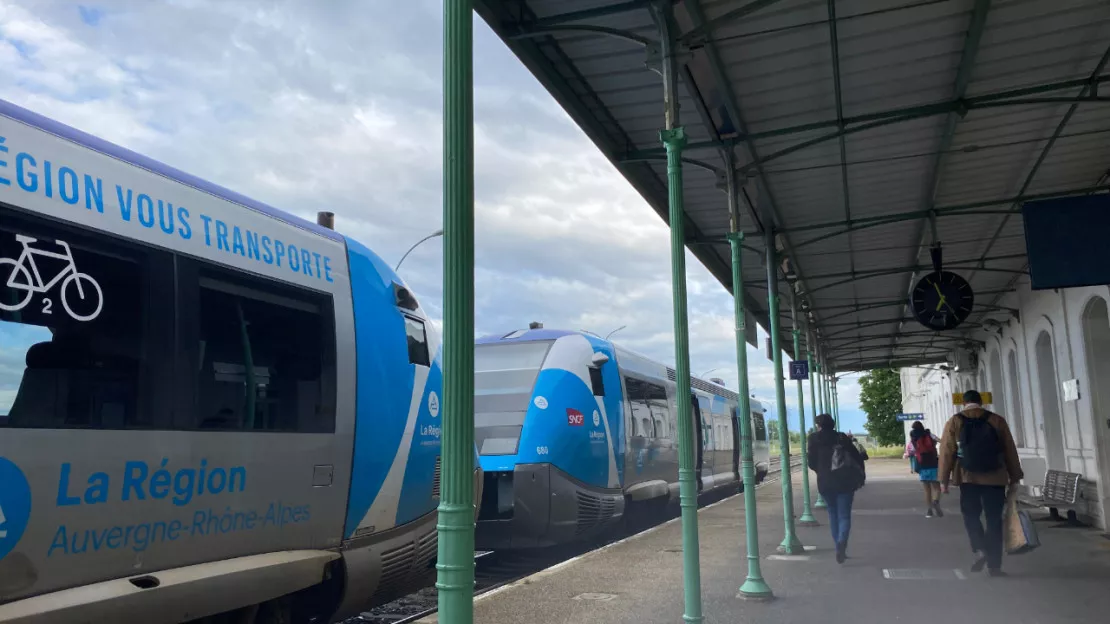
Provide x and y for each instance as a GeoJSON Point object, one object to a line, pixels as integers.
{"type": "Point", "coordinates": [840, 471]}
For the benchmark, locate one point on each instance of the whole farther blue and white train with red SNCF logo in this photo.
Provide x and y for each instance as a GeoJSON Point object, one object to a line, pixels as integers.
{"type": "Point", "coordinates": [576, 432]}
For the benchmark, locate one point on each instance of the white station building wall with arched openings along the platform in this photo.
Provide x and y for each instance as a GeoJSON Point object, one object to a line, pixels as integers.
{"type": "Point", "coordinates": [1059, 314]}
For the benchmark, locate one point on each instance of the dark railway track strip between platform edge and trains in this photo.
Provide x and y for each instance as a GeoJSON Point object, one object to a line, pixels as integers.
{"type": "Point", "coordinates": [495, 570]}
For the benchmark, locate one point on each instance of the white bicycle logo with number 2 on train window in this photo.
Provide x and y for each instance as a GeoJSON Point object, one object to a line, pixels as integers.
{"type": "Point", "coordinates": [82, 296]}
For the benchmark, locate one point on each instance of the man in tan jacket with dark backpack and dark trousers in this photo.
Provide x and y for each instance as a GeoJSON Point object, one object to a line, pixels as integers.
{"type": "Point", "coordinates": [978, 455]}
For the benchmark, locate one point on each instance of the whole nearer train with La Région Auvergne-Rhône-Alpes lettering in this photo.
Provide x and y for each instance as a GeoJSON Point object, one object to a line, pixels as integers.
{"type": "Point", "coordinates": [207, 406]}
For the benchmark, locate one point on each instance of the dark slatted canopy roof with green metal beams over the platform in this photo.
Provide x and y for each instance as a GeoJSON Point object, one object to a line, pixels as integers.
{"type": "Point", "coordinates": [861, 129]}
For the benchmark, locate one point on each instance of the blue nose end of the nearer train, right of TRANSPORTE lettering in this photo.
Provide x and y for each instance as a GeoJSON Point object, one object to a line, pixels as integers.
{"type": "Point", "coordinates": [390, 532]}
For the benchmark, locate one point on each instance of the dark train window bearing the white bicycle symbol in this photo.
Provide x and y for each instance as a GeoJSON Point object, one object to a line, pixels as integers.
{"type": "Point", "coordinates": [86, 329]}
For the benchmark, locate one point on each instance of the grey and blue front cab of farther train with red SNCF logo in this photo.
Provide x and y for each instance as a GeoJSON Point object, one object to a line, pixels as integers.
{"type": "Point", "coordinates": [549, 429]}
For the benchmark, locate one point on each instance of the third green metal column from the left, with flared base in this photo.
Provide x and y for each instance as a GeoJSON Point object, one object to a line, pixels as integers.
{"type": "Point", "coordinates": [754, 587]}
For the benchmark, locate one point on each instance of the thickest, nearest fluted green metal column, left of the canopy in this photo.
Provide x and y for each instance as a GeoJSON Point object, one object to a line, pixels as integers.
{"type": "Point", "coordinates": [456, 525]}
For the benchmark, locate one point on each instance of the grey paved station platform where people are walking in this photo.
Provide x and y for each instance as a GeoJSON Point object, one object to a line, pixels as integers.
{"type": "Point", "coordinates": [902, 568]}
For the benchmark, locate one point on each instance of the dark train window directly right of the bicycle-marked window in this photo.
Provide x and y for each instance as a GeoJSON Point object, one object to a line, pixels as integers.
{"type": "Point", "coordinates": [266, 358]}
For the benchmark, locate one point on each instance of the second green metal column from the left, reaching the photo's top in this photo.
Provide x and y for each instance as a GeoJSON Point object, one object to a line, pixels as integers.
{"type": "Point", "coordinates": [674, 139]}
